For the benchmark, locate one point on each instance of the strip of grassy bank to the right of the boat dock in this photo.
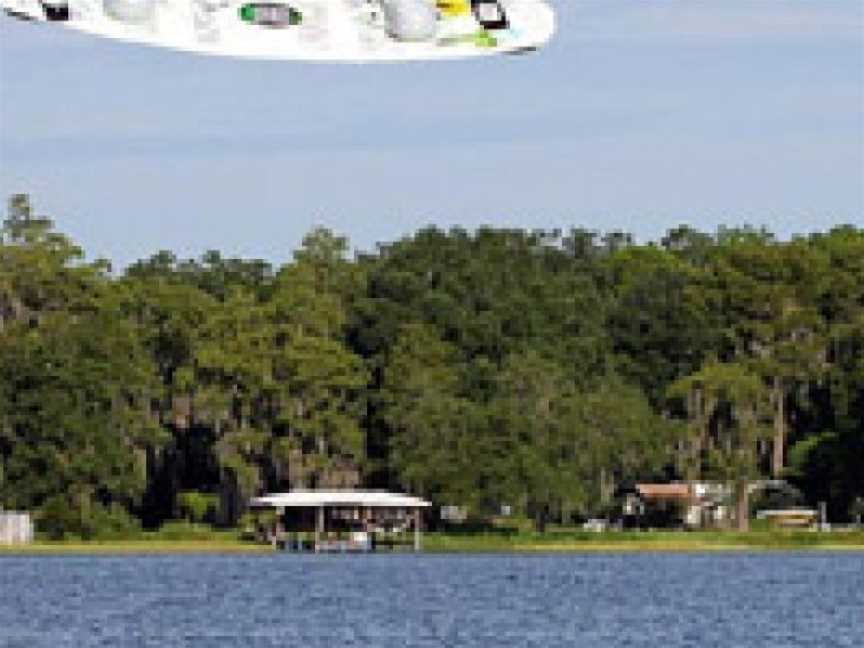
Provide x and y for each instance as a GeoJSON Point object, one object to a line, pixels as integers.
{"type": "Point", "coordinates": [644, 541]}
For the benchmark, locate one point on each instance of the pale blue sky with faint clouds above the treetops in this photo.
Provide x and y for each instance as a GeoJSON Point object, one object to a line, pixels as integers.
{"type": "Point", "coordinates": [640, 115]}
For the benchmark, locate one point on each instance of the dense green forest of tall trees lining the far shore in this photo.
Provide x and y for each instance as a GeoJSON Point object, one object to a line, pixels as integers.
{"type": "Point", "coordinates": [542, 370]}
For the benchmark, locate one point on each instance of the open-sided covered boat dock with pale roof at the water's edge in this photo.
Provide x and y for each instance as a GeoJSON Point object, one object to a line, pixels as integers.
{"type": "Point", "coordinates": [342, 520]}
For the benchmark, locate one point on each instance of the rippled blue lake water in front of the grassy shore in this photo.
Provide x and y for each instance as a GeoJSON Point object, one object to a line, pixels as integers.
{"type": "Point", "coordinates": [328, 601]}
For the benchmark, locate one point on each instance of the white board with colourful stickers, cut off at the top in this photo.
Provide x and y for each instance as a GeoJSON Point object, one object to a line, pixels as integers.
{"type": "Point", "coordinates": [311, 30]}
